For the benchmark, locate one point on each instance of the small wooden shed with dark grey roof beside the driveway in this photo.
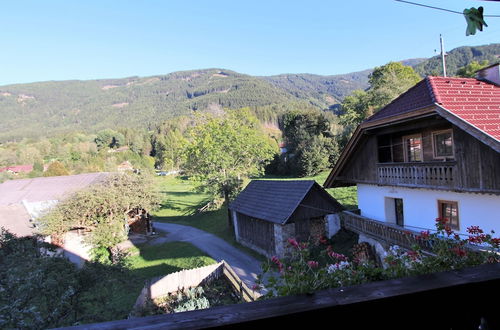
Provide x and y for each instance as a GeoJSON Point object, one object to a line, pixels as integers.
{"type": "Point", "coordinates": [268, 212]}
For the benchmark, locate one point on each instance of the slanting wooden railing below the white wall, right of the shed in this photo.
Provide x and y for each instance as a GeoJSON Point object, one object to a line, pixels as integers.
{"type": "Point", "coordinates": [383, 231]}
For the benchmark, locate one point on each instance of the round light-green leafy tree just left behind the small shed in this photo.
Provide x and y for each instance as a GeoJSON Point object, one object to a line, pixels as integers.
{"type": "Point", "coordinates": [225, 149]}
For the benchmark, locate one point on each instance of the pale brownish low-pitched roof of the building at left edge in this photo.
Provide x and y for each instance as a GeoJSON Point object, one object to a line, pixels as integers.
{"type": "Point", "coordinates": [46, 188]}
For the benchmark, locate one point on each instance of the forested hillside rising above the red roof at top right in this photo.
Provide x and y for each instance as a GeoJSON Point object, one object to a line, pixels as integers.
{"type": "Point", "coordinates": [457, 58]}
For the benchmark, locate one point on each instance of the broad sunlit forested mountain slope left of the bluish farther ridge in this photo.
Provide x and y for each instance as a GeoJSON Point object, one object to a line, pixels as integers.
{"type": "Point", "coordinates": [44, 108]}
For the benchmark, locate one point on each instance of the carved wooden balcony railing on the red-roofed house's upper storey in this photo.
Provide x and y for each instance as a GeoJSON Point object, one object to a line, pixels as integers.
{"type": "Point", "coordinates": [430, 174]}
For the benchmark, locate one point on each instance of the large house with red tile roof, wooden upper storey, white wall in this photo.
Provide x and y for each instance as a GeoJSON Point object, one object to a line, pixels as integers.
{"type": "Point", "coordinates": [433, 152]}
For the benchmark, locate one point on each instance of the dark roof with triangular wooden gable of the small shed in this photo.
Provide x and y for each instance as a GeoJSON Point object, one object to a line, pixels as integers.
{"type": "Point", "coordinates": [283, 201]}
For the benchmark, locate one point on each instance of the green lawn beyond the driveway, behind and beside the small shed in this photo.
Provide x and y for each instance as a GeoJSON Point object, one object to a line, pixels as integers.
{"type": "Point", "coordinates": [180, 203]}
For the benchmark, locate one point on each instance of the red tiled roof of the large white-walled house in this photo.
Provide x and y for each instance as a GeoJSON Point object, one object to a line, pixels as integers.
{"type": "Point", "coordinates": [473, 101]}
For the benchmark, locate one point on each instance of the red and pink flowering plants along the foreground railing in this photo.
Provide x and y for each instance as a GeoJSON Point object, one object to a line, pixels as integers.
{"type": "Point", "coordinates": [306, 272]}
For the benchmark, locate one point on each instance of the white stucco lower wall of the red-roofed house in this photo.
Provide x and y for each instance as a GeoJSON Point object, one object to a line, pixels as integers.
{"type": "Point", "coordinates": [420, 206]}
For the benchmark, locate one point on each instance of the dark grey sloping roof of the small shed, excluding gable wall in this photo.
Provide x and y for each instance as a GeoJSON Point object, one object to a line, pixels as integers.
{"type": "Point", "coordinates": [276, 201]}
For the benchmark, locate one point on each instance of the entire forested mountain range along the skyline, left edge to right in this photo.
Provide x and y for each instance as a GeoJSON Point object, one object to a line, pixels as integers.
{"type": "Point", "coordinates": [48, 108]}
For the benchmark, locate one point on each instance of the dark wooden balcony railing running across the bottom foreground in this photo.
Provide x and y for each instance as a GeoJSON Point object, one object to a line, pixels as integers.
{"type": "Point", "coordinates": [449, 300]}
